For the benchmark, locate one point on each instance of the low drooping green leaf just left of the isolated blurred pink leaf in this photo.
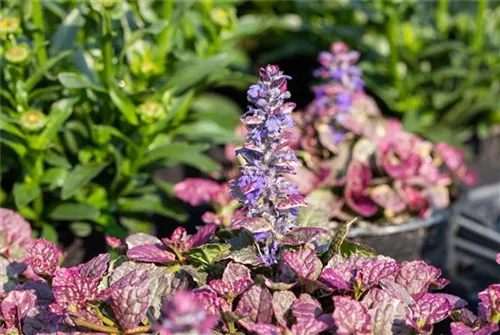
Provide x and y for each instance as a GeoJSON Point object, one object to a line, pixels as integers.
{"type": "Point", "coordinates": [150, 204]}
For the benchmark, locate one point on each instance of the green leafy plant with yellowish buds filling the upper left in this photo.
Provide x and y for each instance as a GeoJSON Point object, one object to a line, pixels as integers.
{"type": "Point", "coordinates": [101, 94]}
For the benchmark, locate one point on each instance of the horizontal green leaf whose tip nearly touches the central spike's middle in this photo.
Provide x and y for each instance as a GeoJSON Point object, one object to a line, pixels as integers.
{"type": "Point", "coordinates": [207, 131]}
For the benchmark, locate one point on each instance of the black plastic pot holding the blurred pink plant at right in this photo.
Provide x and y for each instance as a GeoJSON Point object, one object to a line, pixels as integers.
{"type": "Point", "coordinates": [415, 239]}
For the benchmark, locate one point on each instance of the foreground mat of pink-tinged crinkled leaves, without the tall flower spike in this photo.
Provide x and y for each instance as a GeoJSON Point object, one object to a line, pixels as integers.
{"type": "Point", "coordinates": [345, 290]}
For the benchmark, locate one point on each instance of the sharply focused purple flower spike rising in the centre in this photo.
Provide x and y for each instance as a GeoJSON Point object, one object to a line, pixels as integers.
{"type": "Point", "coordinates": [262, 188]}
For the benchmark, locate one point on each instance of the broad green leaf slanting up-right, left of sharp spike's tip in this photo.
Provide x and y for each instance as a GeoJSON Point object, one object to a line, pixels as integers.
{"type": "Point", "coordinates": [189, 74]}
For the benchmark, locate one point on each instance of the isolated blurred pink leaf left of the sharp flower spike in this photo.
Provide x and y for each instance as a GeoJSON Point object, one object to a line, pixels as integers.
{"type": "Point", "coordinates": [196, 191]}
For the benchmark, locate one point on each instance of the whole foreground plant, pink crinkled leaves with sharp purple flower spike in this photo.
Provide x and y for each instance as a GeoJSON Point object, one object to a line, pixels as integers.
{"type": "Point", "coordinates": [264, 273]}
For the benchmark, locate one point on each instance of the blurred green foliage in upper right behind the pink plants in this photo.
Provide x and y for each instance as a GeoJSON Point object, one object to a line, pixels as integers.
{"type": "Point", "coordinates": [435, 64]}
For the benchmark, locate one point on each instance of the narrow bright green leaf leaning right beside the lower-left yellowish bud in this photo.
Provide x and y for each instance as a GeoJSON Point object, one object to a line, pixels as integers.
{"type": "Point", "coordinates": [59, 113]}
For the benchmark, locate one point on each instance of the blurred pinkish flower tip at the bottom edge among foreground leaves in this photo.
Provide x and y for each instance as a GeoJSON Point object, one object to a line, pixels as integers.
{"type": "Point", "coordinates": [184, 314]}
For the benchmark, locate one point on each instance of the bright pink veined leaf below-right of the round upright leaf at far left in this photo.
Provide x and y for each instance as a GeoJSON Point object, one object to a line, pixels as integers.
{"type": "Point", "coordinates": [71, 289]}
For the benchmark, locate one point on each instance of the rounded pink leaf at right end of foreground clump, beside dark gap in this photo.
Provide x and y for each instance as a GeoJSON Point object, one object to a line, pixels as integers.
{"type": "Point", "coordinates": [430, 309]}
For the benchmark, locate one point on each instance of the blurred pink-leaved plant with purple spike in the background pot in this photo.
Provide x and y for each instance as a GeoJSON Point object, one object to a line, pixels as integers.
{"type": "Point", "coordinates": [358, 163]}
